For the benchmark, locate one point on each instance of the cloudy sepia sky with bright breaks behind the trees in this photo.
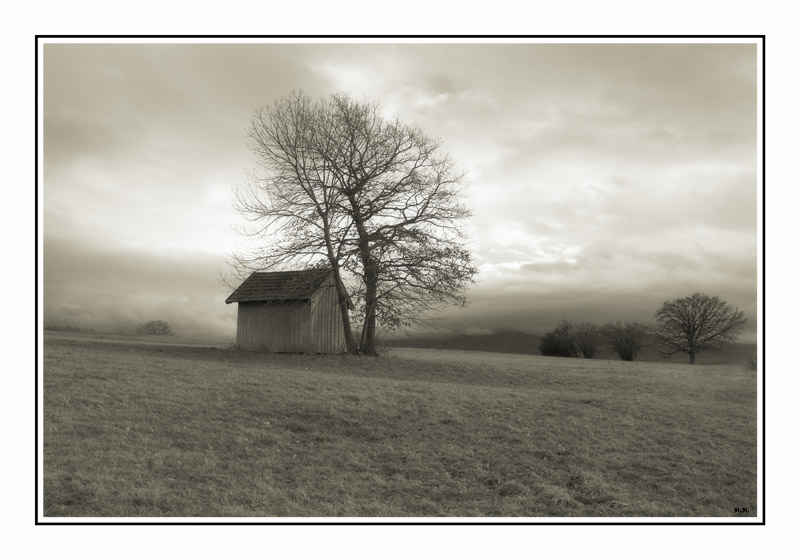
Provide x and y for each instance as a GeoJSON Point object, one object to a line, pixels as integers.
{"type": "Point", "coordinates": [603, 179]}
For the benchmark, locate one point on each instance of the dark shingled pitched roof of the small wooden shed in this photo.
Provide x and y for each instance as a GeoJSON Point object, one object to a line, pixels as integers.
{"type": "Point", "coordinates": [280, 286]}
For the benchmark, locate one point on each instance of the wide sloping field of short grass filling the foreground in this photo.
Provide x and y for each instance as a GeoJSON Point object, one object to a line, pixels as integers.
{"type": "Point", "coordinates": [138, 426]}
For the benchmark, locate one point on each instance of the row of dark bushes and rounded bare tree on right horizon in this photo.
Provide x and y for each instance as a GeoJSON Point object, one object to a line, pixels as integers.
{"type": "Point", "coordinates": [687, 325]}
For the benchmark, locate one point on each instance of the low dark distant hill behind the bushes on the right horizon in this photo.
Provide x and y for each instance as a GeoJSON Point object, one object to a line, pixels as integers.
{"type": "Point", "coordinates": [510, 341]}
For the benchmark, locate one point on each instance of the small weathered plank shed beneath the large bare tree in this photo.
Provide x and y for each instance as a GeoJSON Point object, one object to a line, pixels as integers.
{"type": "Point", "coordinates": [295, 311]}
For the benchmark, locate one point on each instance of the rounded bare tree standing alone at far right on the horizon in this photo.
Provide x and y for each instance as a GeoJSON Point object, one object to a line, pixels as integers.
{"type": "Point", "coordinates": [696, 323]}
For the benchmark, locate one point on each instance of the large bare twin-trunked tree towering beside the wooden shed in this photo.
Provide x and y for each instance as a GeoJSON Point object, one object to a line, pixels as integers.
{"type": "Point", "coordinates": [374, 199]}
